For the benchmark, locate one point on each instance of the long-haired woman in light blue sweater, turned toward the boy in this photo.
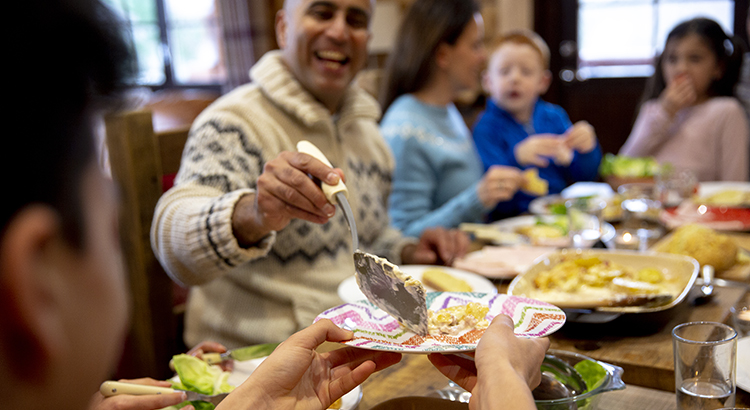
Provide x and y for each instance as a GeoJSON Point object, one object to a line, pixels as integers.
{"type": "Point", "coordinates": [439, 178]}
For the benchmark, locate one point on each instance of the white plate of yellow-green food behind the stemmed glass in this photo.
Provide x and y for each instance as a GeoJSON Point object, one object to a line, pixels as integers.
{"type": "Point", "coordinates": [550, 230]}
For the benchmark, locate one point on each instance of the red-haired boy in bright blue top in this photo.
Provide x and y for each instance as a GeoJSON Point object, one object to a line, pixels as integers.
{"type": "Point", "coordinates": [519, 129]}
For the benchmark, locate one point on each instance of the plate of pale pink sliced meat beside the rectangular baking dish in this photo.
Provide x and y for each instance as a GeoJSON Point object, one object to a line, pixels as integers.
{"type": "Point", "coordinates": [501, 262]}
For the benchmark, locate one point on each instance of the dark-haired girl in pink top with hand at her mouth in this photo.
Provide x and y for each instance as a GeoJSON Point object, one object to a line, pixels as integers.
{"type": "Point", "coordinates": [690, 117]}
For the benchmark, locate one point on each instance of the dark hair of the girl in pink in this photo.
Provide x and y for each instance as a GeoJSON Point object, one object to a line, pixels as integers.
{"type": "Point", "coordinates": [728, 51]}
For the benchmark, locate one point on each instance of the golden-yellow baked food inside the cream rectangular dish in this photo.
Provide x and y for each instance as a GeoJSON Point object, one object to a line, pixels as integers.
{"type": "Point", "coordinates": [596, 281]}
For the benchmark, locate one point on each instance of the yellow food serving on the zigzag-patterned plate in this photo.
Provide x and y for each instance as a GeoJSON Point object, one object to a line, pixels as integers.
{"type": "Point", "coordinates": [455, 319]}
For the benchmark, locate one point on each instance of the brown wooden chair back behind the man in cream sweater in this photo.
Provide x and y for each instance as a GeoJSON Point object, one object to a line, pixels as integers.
{"type": "Point", "coordinates": [139, 158]}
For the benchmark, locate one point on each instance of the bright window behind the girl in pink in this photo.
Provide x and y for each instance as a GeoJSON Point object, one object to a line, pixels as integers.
{"type": "Point", "coordinates": [619, 38]}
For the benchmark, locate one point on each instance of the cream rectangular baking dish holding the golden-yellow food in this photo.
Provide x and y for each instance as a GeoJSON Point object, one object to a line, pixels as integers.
{"type": "Point", "coordinates": [683, 270]}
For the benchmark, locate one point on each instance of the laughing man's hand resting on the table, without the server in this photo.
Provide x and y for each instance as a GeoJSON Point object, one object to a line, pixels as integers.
{"type": "Point", "coordinates": [437, 246]}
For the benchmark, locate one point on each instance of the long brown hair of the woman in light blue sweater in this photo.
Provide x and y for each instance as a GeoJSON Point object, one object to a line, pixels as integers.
{"type": "Point", "coordinates": [427, 24]}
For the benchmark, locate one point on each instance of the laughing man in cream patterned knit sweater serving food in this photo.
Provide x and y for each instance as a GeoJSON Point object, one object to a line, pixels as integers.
{"type": "Point", "coordinates": [245, 226]}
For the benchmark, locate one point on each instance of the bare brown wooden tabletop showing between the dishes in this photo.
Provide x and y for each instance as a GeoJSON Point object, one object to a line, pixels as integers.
{"type": "Point", "coordinates": [646, 357]}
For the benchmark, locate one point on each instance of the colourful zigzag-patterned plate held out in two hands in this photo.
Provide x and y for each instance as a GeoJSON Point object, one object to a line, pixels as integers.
{"type": "Point", "coordinates": [377, 330]}
